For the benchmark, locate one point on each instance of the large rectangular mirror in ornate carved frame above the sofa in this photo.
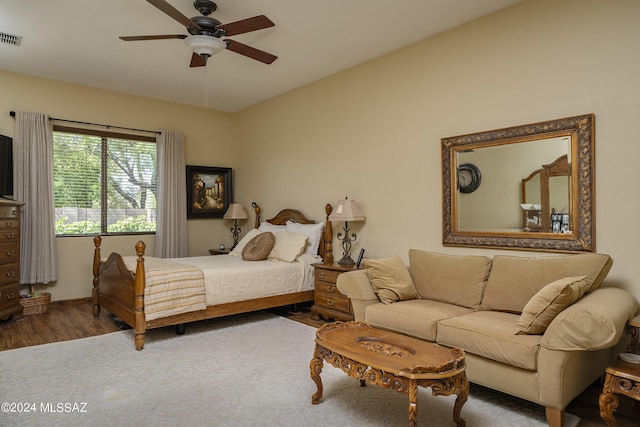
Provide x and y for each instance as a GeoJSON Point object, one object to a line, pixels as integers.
{"type": "Point", "coordinates": [537, 190]}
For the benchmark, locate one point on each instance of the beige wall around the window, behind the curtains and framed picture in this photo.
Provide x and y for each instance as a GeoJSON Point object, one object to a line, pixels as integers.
{"type": "Point", "coordinates": [207, 134]}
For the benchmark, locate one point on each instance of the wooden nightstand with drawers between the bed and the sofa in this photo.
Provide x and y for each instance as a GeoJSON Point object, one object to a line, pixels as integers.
{"type": "Point", "coordinates": [328, 302]}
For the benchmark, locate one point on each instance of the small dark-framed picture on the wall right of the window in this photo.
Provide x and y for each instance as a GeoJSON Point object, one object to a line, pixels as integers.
{"type": "Point", "coordinates": [209, 191]}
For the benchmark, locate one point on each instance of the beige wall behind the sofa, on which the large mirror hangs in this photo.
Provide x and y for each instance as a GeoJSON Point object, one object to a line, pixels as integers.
{"type": "Point", "coordinates": [373, 132]}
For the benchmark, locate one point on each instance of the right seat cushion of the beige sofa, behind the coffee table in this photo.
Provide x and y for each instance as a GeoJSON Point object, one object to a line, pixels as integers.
{"type": "Point", "coordinates": [490, 334]}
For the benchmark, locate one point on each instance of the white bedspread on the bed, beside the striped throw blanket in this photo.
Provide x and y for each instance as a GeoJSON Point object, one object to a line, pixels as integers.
{"type": "Point", "coordinates": [230, 279]}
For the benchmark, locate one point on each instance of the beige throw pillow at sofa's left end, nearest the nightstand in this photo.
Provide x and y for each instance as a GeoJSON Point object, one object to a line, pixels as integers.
{"type": "Point", "coordinates": [390, 279]}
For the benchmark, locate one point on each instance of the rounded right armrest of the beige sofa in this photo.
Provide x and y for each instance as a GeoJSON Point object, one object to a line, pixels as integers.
{"type": "Point", "coordinates": [595, 322]}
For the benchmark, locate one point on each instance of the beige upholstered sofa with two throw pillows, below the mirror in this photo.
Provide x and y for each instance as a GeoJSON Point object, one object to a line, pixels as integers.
{"type": "Point", "coordinates": [542, 329]}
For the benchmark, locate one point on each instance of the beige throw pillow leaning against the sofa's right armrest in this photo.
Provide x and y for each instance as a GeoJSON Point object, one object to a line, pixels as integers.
{"type": "Point", "coordinates": [550, 301]}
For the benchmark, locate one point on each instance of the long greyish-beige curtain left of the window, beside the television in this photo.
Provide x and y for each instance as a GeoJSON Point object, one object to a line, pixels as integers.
{"type": "Point", "coordinates": [33, 161]}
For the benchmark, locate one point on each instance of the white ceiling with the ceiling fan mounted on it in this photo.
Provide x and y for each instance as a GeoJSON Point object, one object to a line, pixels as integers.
{"type": "Point", "coordinates": [77, 41]}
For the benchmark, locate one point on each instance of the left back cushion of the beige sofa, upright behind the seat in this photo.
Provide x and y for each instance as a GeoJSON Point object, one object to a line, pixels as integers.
{"type": "Point", "coordinates": [455, 279]}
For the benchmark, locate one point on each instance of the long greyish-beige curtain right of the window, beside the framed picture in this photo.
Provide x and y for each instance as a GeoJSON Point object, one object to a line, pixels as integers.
{"type": "Point", "coordinates": [171, 222]}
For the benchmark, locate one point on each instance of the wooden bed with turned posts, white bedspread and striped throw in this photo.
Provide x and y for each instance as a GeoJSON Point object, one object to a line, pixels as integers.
{"type": "Point", "coordinates": [122, 284]}
